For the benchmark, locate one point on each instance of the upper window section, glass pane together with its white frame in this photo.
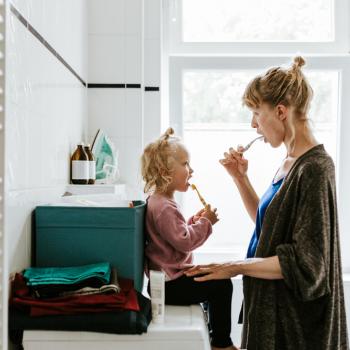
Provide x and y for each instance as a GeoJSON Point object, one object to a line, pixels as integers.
{"type": "Point", "coordinates": [258, 26]}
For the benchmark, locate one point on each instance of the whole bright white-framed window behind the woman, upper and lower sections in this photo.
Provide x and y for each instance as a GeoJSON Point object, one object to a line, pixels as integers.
{"type": "Point", "coordinates": [207, 78]}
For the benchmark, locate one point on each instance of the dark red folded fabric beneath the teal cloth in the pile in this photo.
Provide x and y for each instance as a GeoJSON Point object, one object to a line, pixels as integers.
{"type": "Point", "coordinates": [124, 300]}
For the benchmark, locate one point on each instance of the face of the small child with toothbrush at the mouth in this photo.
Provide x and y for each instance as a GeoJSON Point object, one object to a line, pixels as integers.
{"type": "Point", "coordinates": [182, 171]}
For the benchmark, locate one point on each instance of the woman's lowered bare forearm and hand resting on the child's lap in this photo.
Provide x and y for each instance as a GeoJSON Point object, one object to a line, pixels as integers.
{"type": "Point", "coordinates": [265, 268]}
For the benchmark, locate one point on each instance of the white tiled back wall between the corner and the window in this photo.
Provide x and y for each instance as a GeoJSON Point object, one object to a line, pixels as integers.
{"type": "Point", "coordinates": [124, 79]}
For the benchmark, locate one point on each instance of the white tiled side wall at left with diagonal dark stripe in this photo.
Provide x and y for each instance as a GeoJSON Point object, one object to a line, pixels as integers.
{"type": "Point", "coordinates": [46, 112]}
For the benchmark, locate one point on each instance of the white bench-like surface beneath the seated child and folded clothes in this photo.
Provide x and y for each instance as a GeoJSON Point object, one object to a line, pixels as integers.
{"type": "Point", "coordinates": [184, 328]}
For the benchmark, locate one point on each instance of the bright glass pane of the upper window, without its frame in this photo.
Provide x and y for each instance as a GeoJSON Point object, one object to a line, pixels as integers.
{"type": "Point", "coordinates": [257, 20]}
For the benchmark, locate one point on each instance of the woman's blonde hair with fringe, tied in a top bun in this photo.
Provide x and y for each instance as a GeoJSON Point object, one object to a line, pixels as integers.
{"type": "Point", "coordinates": [281, 86]}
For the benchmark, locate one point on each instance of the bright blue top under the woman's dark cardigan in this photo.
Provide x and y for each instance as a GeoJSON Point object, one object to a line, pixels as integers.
{"type": "Point", "coordinates": [263, 204]}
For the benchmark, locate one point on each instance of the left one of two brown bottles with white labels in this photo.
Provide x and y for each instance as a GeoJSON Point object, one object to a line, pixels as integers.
{"type": "Point", "coordinates": [80, 166]}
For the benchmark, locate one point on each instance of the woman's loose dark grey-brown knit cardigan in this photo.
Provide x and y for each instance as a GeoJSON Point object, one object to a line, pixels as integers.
{"type": "Point", "coordinates": [305, 310]}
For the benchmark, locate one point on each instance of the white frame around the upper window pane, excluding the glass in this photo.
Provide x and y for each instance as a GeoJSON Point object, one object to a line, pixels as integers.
{"type": "Point", "coordinates": [339, 45]}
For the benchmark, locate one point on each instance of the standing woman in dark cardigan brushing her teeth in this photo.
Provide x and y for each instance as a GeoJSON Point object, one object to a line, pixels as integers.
{"type": "Point", "coordinates": [292, 284]}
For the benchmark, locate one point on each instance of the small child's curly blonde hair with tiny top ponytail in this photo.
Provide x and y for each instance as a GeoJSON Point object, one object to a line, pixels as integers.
{"type": "Point", "coordinates": [157, 161]}
